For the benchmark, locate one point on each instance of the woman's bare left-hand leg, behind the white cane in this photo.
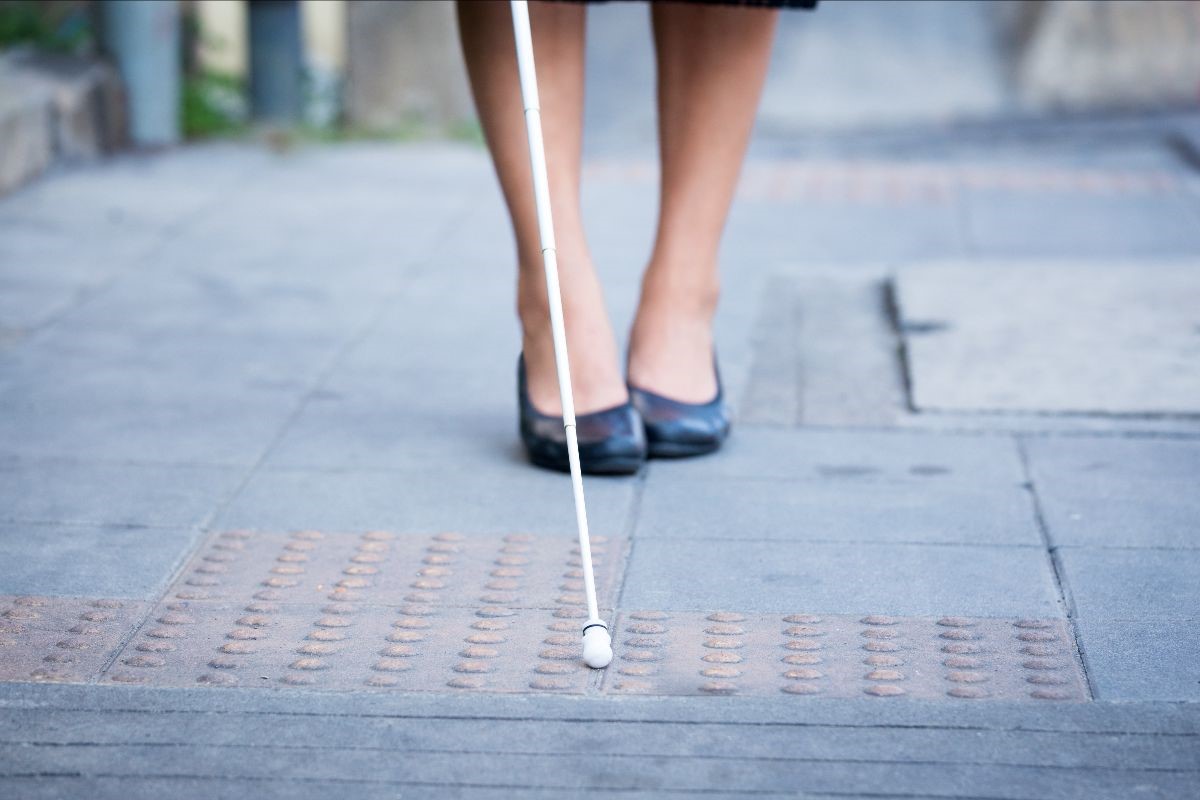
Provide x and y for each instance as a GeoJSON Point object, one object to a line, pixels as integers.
{"type": "Point", "coordinates": [487, 34]}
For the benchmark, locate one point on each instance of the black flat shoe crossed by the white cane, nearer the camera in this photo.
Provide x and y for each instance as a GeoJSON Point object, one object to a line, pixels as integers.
{"type": "Point", "coordinates": [613, 442]}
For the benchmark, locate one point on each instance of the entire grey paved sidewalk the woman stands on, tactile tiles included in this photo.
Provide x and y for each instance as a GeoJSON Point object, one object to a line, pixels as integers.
{"type": "Point", "coordinates": [266, 526]}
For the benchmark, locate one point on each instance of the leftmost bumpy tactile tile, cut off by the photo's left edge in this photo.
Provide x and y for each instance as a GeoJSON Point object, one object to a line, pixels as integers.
{"type": "Point", "coordinates": [67, 640]}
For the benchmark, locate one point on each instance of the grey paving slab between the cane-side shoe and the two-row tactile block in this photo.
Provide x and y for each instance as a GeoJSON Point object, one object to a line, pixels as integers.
{"type": "Point", "coordinates": [502, 497]}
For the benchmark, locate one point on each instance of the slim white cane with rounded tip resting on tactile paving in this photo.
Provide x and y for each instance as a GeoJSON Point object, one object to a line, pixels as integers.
{"type": "Point", "coordinates": [597, 641]}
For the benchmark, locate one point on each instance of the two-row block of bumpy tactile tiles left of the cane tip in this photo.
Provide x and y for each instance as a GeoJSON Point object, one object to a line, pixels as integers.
{"type": "Point", "coordinates": [344, 611]}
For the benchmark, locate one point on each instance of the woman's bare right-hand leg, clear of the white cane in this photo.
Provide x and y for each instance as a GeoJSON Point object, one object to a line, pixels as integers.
{"type": "Point", "coordinates": [712, 64]}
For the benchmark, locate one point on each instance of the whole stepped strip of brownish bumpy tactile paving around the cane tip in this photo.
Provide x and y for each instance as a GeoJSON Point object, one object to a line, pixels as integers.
{"type": "Point", "coordinates": [449, 613]}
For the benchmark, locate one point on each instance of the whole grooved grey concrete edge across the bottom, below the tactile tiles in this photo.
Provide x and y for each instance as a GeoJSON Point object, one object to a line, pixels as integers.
{"type": "Point", "coordinates": [1124, 741]}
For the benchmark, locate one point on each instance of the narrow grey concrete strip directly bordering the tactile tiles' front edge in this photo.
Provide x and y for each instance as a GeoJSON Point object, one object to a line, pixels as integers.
{"type": "Point", "coordinates": [1097, 719]}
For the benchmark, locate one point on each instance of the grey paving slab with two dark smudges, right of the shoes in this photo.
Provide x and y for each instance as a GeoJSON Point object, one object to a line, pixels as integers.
{"type": "Point", "coordinates": [856, 456]}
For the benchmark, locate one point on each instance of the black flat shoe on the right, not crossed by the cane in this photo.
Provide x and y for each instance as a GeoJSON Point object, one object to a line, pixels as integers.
{"type": "Point", "coordinates": [676, 430]}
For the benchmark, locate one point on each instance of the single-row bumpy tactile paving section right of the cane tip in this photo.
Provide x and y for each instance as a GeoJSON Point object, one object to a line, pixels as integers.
{"type": "Point", "coordinates": [727, 653]}
